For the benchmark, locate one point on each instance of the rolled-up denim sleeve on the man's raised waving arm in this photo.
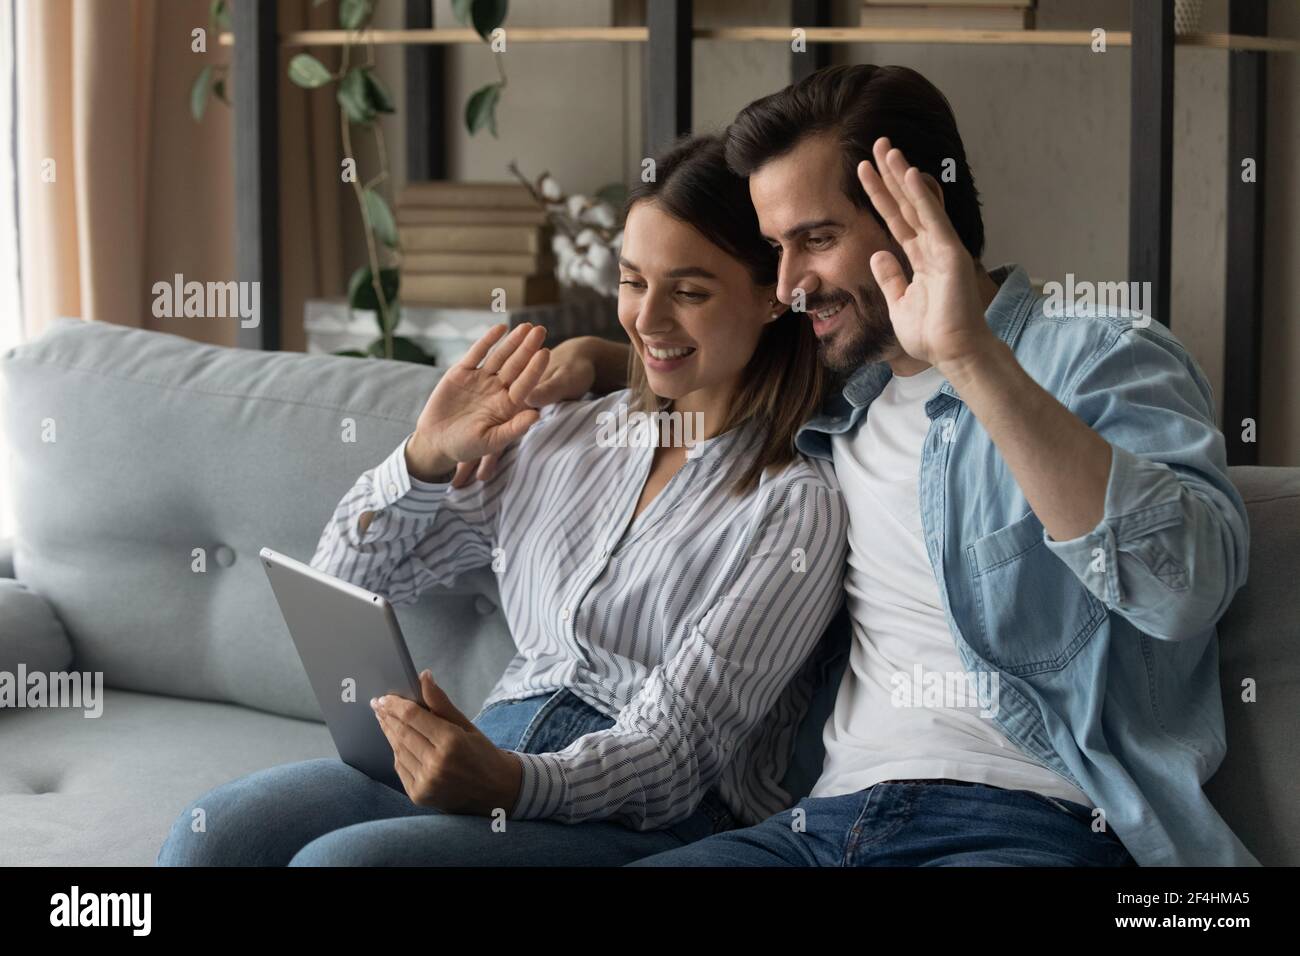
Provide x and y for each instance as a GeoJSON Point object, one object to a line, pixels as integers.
{"type": "Point", "coordinates": [1172, 547]}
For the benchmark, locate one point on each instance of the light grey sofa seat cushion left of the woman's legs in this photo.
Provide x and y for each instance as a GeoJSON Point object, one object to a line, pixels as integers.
{"type": "Point", "coordinates": [79, 791]}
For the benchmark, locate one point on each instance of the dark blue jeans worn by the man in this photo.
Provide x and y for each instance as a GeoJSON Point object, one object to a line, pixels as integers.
{"type": "Point", "coordinates": [915, 824]}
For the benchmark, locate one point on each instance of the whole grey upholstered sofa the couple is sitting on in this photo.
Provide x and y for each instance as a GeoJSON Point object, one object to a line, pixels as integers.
{"type": "Point", "coordinates": [137, 456]}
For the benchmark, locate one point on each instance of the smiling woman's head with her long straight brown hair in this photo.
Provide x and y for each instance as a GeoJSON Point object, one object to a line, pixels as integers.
{"type": "Point", "coordinates": [678, 308]}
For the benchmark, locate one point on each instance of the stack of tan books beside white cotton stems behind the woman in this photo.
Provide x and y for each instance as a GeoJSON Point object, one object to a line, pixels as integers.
{"type": "Point", "coordinates": [463, 241]}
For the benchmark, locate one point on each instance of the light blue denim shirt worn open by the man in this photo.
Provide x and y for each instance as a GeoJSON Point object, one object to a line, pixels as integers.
{"type": "Point", "coordinates": [1104, 646]}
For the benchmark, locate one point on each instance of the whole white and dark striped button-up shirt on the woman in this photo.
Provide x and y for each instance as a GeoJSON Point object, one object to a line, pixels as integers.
{"type": "Point", "coordinates": [692, 626]}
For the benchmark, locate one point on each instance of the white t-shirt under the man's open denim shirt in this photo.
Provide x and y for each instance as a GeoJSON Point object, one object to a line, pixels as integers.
{"type": "Point", "coordinates": [907, 708]}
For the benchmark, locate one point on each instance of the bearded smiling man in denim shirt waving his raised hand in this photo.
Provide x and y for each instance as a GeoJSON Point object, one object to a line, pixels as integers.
{"type": "Point", "coordinates": [1039, 511]}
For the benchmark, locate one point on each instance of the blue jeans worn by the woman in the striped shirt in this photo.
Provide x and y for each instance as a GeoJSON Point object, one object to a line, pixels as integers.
{"type": "Point", "coordinates": [327, 814]}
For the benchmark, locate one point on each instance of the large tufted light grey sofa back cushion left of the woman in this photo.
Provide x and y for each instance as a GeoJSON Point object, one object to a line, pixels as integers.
{"type": "Point", "coordinates": [137, 456]}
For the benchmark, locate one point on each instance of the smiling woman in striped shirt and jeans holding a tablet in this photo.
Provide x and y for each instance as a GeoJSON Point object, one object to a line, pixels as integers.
{"type": "Point", "coordinates": [665, 602]}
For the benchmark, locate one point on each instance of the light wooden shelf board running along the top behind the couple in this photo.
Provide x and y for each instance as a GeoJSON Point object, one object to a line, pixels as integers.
{"type": "Point", "coordinates": [782, 34]}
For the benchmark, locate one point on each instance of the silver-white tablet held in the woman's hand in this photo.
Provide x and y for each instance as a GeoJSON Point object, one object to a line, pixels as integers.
{"type": "Point", "coordinates": [353, 650]}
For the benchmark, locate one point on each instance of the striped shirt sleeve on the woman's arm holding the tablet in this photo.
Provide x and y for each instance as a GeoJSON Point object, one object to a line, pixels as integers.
{"type": "Point", "coordinates": [721, 676]}
